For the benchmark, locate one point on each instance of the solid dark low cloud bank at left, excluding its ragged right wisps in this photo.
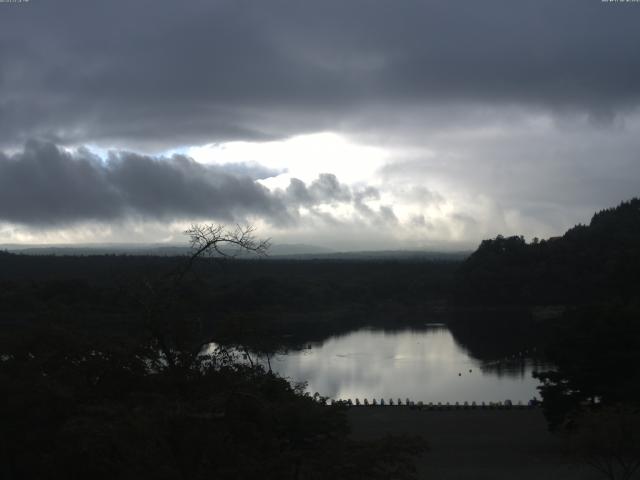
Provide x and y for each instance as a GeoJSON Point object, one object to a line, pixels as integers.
{"type": "Point", "coordinates": [45, 185]}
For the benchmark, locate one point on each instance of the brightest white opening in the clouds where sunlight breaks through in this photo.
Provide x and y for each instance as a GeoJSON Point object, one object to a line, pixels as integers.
{"type": "Point", "coordinates": [354, 164]}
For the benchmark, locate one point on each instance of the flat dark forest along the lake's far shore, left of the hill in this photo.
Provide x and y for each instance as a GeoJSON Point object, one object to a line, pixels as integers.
{"type": "Point", "coordinates": [299, 299]}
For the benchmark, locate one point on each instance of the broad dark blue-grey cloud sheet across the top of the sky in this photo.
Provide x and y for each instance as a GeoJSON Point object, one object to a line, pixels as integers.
{"type": "Point", "coordinates": [162, 73]}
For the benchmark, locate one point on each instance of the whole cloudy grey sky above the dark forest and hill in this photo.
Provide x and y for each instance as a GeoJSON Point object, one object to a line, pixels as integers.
{"type": "Point", "coordinates": [347, 124]}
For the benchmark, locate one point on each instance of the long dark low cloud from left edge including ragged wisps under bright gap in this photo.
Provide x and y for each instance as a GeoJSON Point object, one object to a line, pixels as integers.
{"type": "Point", "coordinates": [46, 186]}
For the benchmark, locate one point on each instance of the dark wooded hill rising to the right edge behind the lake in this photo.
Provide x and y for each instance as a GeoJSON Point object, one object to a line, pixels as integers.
{"type": "Point", "coordinates": [589, 263]}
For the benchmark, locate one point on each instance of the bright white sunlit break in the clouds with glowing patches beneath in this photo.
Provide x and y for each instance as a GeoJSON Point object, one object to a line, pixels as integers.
{"type": "Point", "coordinates": [354, 164]}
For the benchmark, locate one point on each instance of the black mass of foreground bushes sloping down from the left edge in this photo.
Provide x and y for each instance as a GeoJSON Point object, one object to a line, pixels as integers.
{"type": "Point", "coordinates": [75, 407]}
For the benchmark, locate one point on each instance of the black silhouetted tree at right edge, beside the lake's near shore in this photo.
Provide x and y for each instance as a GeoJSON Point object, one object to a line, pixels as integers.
{"type": "Point", "coordinates": [595, 352]}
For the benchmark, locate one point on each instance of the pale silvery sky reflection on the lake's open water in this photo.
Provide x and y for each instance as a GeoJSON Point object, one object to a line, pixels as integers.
{"type": "Point", "coordinates": [424, 364]}
